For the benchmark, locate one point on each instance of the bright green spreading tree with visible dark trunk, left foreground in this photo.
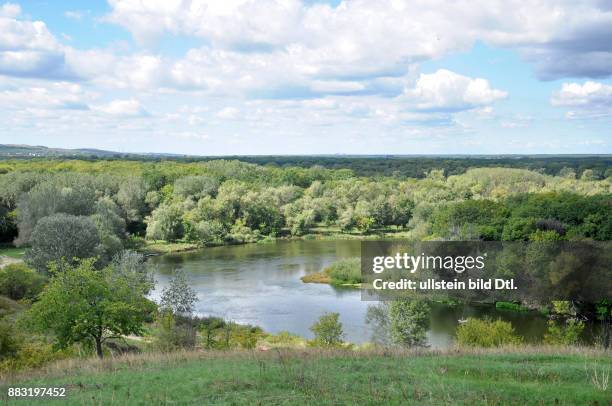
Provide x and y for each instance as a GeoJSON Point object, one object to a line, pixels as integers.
{"type": "Point", "coordinates": [82, 304]}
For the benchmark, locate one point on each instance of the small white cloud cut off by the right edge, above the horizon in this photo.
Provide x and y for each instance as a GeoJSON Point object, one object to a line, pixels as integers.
{"type": "Point", "coordinates": [587, 100]}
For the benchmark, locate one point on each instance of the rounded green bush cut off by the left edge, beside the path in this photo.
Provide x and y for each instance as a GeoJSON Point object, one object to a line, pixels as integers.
{"type": "Point", "coordinates": [17, 282]}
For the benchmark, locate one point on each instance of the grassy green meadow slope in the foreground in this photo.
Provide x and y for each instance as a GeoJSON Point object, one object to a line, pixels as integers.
{"type": "Point", "coordinates": [310, 376]}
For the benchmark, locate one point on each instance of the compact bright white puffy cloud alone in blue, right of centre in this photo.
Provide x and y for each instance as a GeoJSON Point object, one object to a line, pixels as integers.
{"type": "Point", "coordinates": [448, 91]}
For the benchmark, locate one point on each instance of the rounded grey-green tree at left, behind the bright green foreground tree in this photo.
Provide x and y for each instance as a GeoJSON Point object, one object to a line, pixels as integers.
{"type": "Point", "coordinates": [62, 236]}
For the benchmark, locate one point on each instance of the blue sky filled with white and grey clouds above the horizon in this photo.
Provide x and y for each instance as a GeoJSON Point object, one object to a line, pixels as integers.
{"type": "Point", "coordinates": [252, 77]}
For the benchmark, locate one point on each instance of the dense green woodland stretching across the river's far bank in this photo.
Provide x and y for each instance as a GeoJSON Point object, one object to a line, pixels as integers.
{"type": "Point", "coordinates": [109, 204]}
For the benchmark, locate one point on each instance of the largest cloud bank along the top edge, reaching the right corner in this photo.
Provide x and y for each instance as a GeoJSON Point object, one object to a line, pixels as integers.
{"type": "Point", "coordinates": [382, 37]}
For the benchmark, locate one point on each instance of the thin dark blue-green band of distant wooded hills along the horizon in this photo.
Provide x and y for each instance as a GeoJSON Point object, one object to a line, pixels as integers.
{"type": "Point", "coordinates": [414, 166]}
